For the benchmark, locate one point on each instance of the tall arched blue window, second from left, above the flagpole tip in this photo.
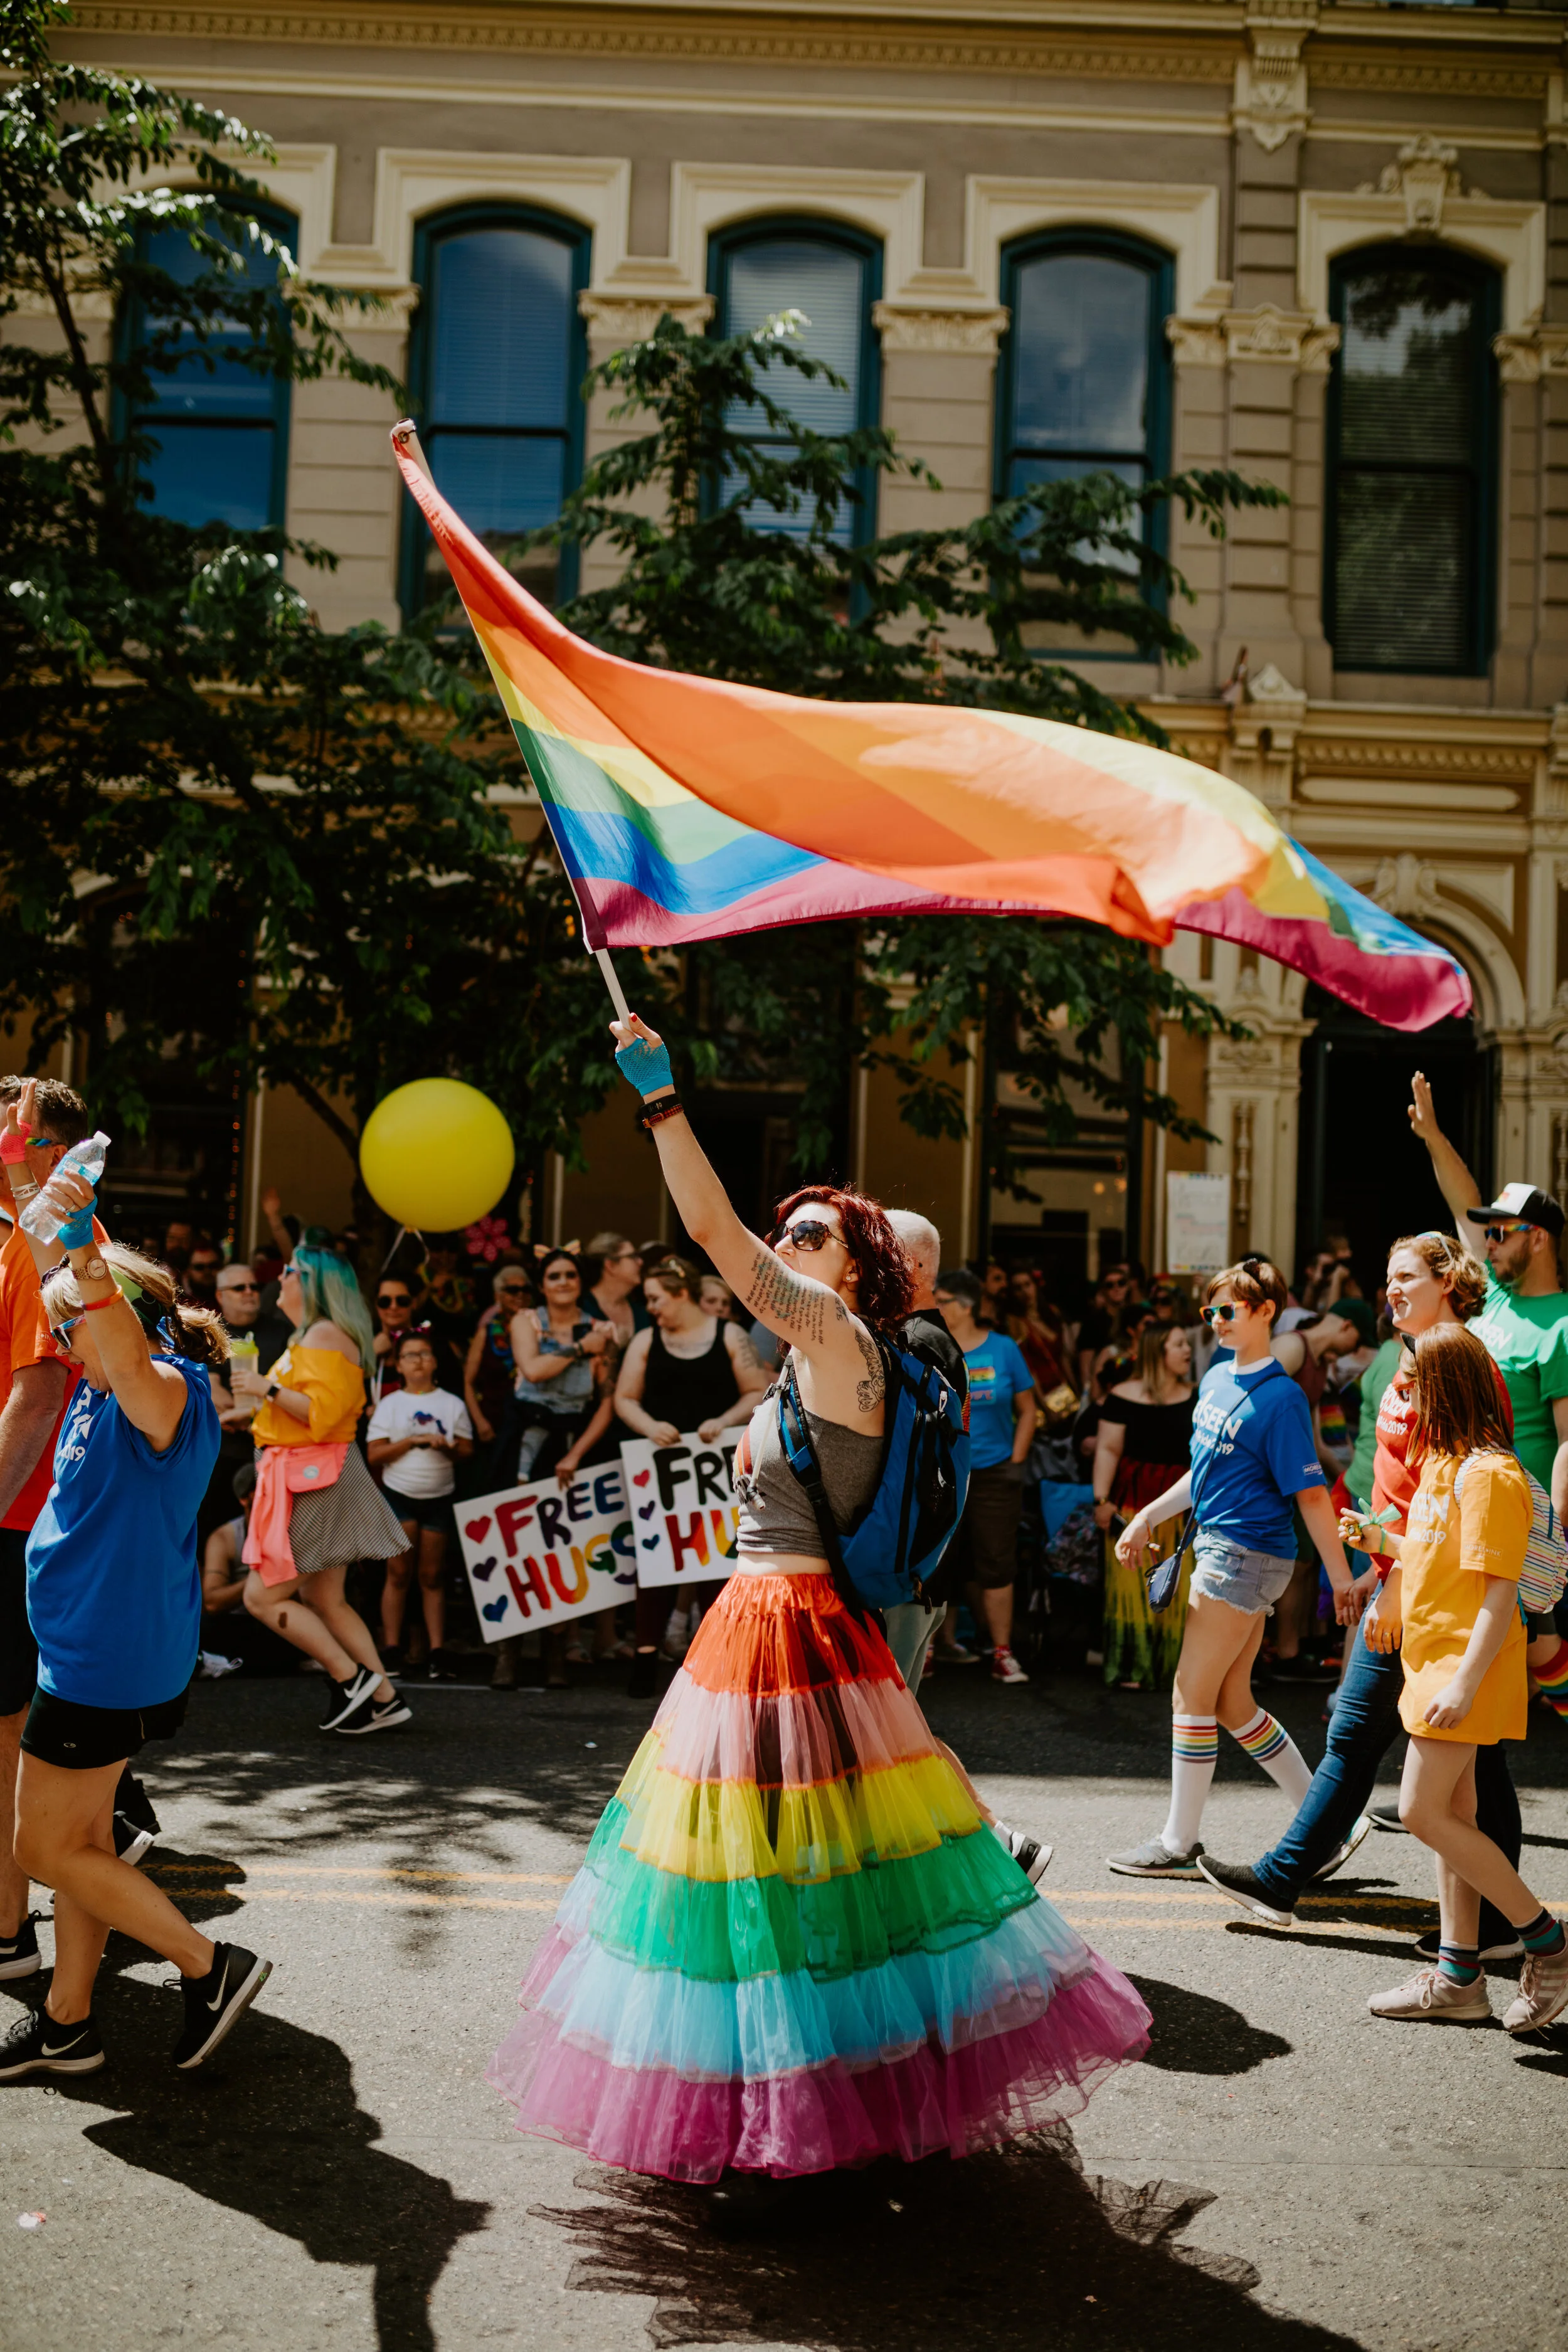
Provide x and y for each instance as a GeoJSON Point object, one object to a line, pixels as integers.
{"type": "Point", "coordinates": [497, 363]}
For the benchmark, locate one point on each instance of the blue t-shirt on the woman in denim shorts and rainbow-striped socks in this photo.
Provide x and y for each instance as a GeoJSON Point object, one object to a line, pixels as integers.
{"type": "Point", "coordinates": [1252, 1450]}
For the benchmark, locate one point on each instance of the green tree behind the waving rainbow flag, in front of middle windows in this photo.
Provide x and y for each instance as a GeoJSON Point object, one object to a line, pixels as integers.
{"type": "Point", "coordinates": [728, 526]}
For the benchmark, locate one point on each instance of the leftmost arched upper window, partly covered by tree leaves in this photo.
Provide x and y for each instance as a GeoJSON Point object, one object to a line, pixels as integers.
{"type": "Point", "coordinates": [220, 439]}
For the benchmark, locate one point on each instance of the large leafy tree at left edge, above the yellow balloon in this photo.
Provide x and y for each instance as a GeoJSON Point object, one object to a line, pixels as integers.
{"type": "Point", "coordinates": [232, 834]}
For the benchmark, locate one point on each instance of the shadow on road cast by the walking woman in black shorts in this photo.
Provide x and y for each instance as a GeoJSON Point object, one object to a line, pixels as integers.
{"type": "Point", "coordinates": [272, 2127]}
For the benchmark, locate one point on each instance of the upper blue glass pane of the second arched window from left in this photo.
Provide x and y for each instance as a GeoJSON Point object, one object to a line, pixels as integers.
{"type": "Point", "coordinates": [502, 330]}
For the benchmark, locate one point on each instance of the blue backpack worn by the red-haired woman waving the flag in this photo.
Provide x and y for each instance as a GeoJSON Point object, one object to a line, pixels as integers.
{"type": "Point", "coordinates": [906, 1528]}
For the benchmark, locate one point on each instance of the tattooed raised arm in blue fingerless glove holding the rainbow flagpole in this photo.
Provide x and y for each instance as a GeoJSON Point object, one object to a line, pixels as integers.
{"type": "Point", "coordinates": [798, 1309]}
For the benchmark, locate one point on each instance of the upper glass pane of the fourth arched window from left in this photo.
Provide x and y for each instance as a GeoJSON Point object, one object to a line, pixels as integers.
{"type": "Point", "coordinates": [1080, 354]}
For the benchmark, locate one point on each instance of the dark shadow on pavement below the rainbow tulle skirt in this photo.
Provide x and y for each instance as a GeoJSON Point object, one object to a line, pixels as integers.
{"type": "Point", "coordinates": [1014, 2247]}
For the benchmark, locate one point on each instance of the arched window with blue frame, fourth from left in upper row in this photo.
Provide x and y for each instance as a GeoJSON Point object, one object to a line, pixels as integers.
{"type": "Point", "coordinates": [1085, 377]}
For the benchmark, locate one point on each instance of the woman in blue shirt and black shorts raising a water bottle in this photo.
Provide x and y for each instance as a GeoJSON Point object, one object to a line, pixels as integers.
{"type": "Point", "coordinates": [116, 1603]}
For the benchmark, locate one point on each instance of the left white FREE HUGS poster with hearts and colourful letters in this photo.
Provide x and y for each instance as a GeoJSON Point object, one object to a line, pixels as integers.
{"type": "Point", "coordinates": [544, 1553]}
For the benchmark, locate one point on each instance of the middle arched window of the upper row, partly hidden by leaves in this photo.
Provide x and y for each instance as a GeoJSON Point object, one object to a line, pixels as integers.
{"type": "Point", "coordinates": [833, 274]}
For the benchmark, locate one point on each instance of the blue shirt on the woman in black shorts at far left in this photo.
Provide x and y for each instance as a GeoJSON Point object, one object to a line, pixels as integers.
{"type": "Point", "coordinates": [114, 1591]}
